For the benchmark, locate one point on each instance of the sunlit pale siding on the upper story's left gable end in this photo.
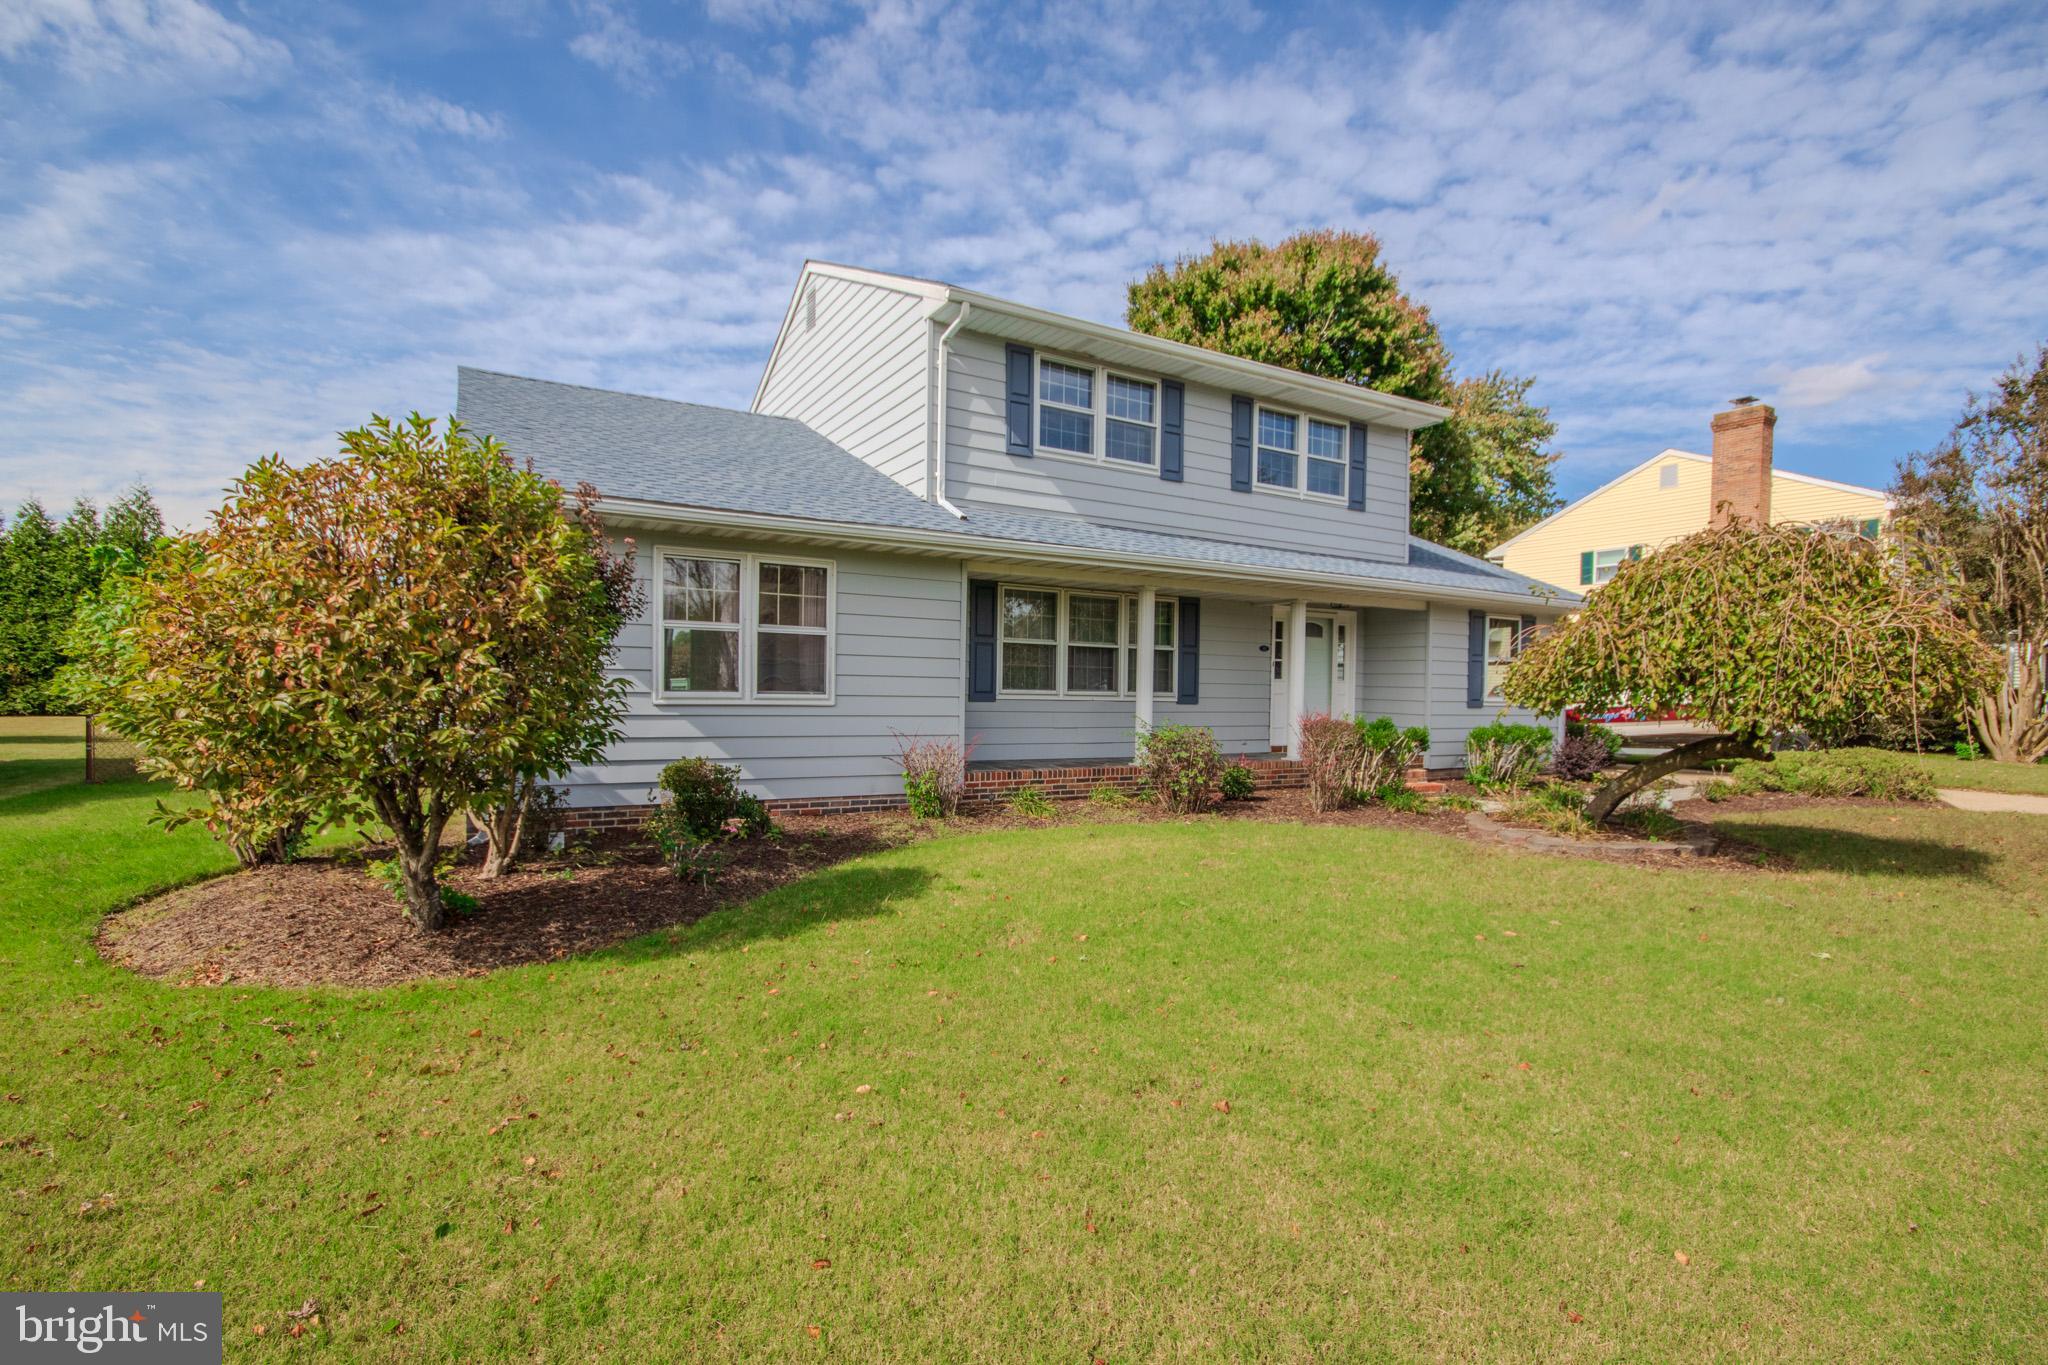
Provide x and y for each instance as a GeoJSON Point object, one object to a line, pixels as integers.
{"type": "Point", "coordinates": [859, 378]}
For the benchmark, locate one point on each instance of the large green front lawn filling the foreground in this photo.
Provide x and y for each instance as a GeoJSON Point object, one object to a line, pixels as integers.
{"type": "Point", "coordinates": [1478, 1104]}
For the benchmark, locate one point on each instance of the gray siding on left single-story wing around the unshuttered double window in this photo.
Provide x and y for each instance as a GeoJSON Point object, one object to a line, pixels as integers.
{"type": "Point", "coordinates": [898, 670]}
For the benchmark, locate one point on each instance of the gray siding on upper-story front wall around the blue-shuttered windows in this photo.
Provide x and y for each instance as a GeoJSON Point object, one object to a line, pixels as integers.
{"type": "Point", "coordinates": [1203, 504]}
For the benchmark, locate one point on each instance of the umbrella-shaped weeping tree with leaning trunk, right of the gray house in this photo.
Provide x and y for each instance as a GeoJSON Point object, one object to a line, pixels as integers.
{"type": "Point", "coordinates": [1758, 631]}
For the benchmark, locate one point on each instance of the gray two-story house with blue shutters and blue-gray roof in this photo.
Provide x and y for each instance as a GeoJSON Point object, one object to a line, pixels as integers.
{"type": "Point", "coordinates": [957, 517]}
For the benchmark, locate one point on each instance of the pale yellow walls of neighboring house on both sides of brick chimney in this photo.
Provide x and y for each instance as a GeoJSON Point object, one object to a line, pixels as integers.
{"type": "Point", "coordinates": [1662, 500]}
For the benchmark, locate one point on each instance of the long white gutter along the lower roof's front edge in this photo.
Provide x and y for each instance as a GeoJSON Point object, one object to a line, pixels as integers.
{"type": "Point", "coordinates": [992, 547]}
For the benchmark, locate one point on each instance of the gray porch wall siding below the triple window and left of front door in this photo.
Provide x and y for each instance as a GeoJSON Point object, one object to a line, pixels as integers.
{"type": "Point", "coordinates": [1234, 703]}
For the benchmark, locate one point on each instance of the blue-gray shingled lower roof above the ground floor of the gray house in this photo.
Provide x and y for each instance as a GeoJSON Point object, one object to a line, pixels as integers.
{"type": "Point", "coordinates": [689, 455]}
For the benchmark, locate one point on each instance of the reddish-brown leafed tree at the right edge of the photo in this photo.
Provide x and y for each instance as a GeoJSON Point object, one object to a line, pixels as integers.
{"type": "Point", "coordinates": [1973, 515]}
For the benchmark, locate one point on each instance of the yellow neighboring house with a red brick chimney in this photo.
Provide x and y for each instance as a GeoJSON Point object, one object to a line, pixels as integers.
{"type": "Point", "coordinates": [1676, 494]}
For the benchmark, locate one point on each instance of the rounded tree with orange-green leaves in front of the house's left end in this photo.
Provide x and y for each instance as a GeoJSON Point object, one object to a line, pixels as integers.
{"type": "Point", "coordinates": [409, 631]}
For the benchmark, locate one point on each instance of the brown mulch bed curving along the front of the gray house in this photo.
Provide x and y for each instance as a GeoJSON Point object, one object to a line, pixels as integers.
{"type": "Point", "coordinates": [327, 924]}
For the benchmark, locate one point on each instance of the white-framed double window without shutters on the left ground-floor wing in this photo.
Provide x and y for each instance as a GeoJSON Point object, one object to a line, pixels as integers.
{"type": "Point", "coordinates": [740, 627]}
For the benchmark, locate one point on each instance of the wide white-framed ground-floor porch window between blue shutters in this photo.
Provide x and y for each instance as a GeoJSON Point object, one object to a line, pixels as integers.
{"type": "Point", "coordinates": [1080, 644]}
